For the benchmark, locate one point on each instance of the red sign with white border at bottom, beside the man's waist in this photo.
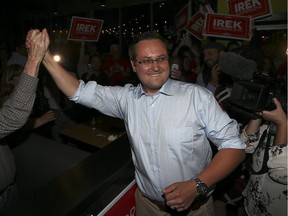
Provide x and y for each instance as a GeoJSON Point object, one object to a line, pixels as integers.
{"type": "Point", "coordinates": [123, 204]}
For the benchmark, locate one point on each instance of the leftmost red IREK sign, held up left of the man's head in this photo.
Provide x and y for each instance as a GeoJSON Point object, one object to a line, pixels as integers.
{"type": "Point", "coordinates": [85, 29]}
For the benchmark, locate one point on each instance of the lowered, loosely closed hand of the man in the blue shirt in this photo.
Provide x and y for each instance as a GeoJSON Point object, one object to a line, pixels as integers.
{"type": "Point", "coordinates": [180, 195]}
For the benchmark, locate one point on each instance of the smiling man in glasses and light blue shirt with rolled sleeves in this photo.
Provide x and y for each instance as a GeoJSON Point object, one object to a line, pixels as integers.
{"type": "Point", "coordinates": [163, 136]}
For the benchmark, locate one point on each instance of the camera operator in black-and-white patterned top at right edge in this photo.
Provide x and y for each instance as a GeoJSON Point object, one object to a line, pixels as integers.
{"type": "Point", "coordinates": [266, 139]}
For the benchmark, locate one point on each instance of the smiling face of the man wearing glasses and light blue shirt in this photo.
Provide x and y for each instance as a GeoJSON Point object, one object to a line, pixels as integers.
{"type": "Point", "coordinates": [152, 76]}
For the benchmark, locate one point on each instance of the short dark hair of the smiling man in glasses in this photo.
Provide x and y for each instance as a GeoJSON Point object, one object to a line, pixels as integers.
{"type": "Point", "coordinates": [150, 35]}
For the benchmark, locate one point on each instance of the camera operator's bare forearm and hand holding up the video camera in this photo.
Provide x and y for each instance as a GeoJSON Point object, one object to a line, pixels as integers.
{"type": "Point", "coordinates": [279, 117]}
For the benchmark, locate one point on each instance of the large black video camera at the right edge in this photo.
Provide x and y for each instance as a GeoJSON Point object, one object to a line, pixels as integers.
{"type": "Point", "coordinates": [256, 95]}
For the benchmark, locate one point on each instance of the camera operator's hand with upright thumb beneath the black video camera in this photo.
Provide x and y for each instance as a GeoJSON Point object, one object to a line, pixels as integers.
{"type": "Point", "coordinates": [277, 115]}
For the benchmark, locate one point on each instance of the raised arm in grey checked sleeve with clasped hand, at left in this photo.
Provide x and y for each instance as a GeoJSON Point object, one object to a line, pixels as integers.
{"type": "Point", "coordinates": [16, 110]}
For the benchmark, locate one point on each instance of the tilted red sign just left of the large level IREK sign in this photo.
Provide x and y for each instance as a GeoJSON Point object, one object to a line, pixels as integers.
{"type": "Point", "coordinates": [195, 25]}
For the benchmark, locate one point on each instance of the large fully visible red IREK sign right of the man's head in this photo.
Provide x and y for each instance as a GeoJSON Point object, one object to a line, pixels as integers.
{"type": "Point", "coordinates": [227, 26]}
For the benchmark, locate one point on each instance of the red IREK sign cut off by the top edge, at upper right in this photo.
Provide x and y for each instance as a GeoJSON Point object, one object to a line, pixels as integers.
{"type": "Point", "coordinates": [252, 8]}
